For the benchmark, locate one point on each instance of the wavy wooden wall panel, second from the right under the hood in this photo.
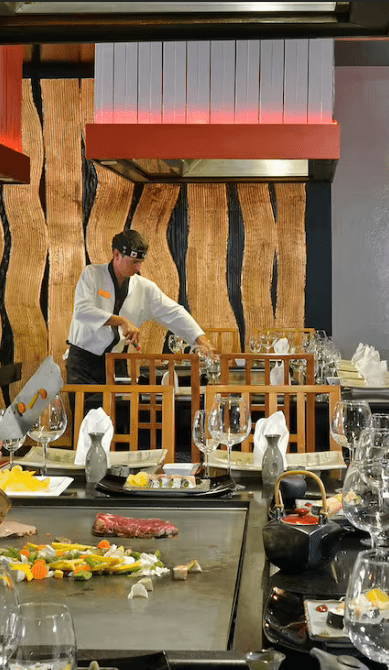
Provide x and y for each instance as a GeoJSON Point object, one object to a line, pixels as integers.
{"type": "Point", "coordinates": [258, 262]}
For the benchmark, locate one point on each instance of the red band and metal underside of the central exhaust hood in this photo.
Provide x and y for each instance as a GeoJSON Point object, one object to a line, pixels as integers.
{"type": "Point", "coordinates": [268, 152]}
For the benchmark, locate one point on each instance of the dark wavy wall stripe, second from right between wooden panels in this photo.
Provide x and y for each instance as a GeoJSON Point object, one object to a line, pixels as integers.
{"type": "Point", "coordinates": [235, 250]}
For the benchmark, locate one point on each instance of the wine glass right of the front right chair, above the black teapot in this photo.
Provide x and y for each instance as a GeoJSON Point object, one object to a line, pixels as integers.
{"type": "Point", "coordinates": [350, 417]}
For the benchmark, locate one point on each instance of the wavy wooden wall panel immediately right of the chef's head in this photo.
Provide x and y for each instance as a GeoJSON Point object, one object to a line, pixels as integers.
{"type": "Point", "coordinates": [151, 219]}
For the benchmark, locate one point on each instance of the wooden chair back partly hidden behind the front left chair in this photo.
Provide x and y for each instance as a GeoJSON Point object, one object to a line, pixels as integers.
{"type": "Point", "coordinates": [154, 362]}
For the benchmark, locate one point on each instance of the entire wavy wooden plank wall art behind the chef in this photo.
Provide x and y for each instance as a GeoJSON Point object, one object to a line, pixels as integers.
{"type": "Point", "coordinates": [69, 213]}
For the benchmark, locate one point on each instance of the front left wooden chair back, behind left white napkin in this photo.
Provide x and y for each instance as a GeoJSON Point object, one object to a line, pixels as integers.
{"type": "Point", "coordinates": [136, 396]}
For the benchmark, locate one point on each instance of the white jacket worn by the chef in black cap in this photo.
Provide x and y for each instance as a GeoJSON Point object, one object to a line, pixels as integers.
{"type": "Point", "coordinates": [94, 304]}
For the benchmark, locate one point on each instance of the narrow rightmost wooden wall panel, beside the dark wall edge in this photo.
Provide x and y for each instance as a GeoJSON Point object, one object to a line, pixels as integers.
{"type": "Point", "coordinates": [292, 255]}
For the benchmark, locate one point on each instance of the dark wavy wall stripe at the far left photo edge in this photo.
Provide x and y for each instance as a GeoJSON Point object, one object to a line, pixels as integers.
{"type": "Point", "coordinates": [7, 341]}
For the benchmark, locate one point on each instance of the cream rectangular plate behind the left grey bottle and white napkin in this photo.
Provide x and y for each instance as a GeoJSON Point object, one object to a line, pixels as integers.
{"type": "Point", "coordinates": [63, 459]}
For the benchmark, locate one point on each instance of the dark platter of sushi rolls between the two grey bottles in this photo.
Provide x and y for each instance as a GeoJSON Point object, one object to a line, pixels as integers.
{"type": "Point", "coordinates": [215, 486]}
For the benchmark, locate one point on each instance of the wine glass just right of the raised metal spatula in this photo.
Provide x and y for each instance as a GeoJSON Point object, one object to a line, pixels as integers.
{"type": "Point", "coordinates": [50, 426]}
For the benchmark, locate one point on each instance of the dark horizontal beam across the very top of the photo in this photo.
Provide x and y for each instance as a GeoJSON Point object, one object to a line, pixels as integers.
{"type": "Point", "coordinates": [354, 19]}
